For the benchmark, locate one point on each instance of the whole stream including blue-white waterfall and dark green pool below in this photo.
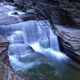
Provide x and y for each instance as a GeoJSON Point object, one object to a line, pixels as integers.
{"type": "Point", "coordinates": [34, 50]}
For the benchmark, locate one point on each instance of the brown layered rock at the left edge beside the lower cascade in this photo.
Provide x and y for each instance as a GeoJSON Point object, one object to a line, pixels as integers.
{"type": "Point", "coordinates": [4, 51]}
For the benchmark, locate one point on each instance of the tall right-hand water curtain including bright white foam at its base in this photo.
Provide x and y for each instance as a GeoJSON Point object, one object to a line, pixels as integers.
{"type": "Point", "coordinates": [42, 39]}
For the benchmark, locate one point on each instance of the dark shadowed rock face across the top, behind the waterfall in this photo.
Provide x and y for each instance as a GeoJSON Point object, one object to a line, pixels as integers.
{"type": "Point", "coordinates": [65, 12]}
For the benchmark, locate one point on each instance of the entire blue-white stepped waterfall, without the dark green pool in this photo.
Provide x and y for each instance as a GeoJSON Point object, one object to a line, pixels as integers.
{"type": "Point", "coordinates": [30, 43]}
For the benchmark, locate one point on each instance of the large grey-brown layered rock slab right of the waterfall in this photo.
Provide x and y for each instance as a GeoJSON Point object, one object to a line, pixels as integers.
{"type": "Point", "coordinates": [69, 40]}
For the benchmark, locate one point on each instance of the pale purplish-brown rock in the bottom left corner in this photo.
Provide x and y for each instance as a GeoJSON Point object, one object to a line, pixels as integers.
{"type": "Point", "coordinates": [7, 74]}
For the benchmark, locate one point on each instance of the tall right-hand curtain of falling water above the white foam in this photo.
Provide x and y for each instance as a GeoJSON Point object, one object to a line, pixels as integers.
{"type": "Point", "coordinates": [40, 32]}
